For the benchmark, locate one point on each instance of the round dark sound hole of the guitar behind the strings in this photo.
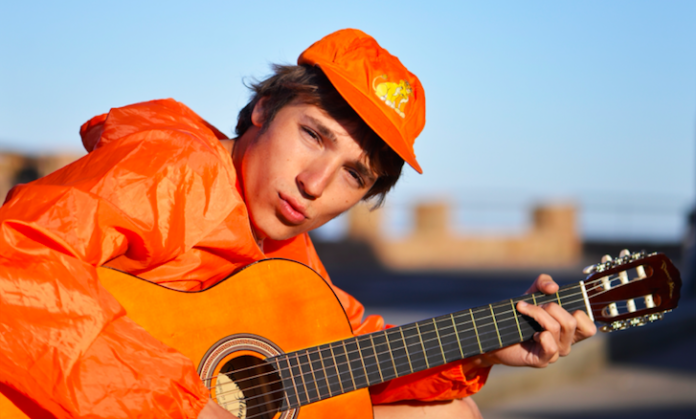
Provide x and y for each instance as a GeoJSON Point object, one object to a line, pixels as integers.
{"type": "Point", "coordinates": [252, 389]}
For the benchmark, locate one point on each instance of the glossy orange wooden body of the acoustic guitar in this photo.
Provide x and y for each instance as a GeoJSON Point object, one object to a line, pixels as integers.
{"type": "Point", "coordinates": [270, 305]}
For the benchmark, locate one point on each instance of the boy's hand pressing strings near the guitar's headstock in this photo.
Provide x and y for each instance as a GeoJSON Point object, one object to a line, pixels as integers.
{"type": "Point", "coordinates": [561, 330]}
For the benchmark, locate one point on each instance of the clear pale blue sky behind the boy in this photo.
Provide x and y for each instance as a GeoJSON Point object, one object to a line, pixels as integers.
{"type": "Point", "coordinates": [592, 102]}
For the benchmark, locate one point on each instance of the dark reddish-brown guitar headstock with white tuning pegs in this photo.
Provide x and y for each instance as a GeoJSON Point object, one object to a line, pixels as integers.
{"type": "Point", "coordinates": [632, 290]}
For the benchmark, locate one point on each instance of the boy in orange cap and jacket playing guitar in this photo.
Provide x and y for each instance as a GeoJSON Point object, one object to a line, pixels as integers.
{"type": "Point", "coordinates": [167, 197]}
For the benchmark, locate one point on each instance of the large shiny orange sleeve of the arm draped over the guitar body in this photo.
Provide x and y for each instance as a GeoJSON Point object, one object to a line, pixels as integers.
{"type": "Point", "coordinates": [66, 343]}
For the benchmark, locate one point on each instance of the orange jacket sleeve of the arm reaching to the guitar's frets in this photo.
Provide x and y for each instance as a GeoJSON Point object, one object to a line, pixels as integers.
{"type": "Point", "coordinates": [452, 381]}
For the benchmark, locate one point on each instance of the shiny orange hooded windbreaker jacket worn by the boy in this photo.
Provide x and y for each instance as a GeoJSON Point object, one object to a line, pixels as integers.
{"type": "Point", "coordinates": [157, 196]}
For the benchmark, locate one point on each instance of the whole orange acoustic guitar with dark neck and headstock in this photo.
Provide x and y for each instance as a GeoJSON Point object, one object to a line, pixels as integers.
{"type": "Point", "coordinates": [272, 340]}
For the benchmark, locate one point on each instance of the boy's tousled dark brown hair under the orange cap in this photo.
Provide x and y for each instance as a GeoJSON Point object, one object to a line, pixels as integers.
{"type": "Point", "coordinates": [309, 85]}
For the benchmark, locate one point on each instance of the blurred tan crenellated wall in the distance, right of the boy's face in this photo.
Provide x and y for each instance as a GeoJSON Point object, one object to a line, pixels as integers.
{"type": "Point", "coordinates": [551, 241]}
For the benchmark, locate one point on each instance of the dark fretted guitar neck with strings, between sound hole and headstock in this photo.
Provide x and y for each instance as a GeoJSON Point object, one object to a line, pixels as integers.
{"type": "Point", "coordinates": [324, 371]}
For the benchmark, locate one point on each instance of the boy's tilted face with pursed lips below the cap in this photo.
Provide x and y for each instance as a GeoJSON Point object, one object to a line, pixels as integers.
{"type": "Point", "coordinates": [300, 172]}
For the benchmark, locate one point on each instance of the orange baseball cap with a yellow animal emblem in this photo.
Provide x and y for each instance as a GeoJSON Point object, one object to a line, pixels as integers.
{"type": "Point", "coordinates": [388, 97]}
